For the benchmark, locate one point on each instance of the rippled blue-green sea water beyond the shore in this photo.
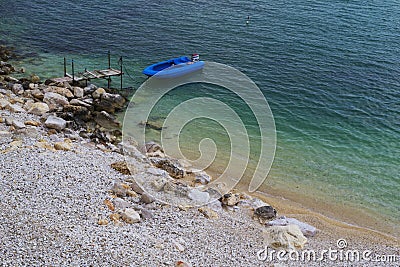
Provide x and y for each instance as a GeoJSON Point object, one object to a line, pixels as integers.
{"type": "Point", "coordinates": [329, 70]}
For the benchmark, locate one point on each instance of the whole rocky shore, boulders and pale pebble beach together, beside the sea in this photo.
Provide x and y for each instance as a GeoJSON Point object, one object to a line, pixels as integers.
{"type": "Point", "coordinates": [70, 194]}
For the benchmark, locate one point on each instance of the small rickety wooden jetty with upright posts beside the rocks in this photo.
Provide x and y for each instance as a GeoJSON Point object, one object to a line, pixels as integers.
{"type": "Point", "coordinates": [89, 75]}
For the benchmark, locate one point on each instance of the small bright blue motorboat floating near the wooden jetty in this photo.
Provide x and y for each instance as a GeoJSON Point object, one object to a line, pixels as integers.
{"type": "Point", "coordinates": [174, 67]}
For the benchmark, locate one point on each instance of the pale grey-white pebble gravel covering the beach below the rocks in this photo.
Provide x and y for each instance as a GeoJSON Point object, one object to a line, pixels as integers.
{"type": "Point", "coordinates": [51, 202]}
